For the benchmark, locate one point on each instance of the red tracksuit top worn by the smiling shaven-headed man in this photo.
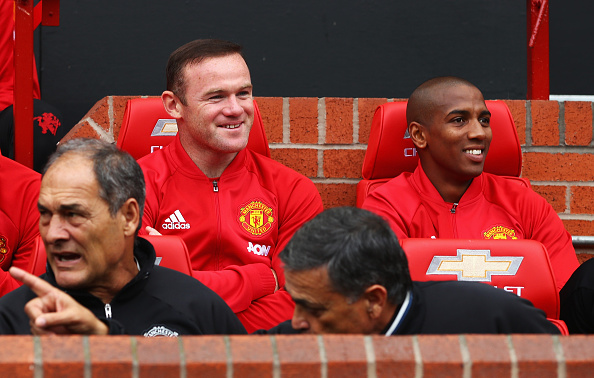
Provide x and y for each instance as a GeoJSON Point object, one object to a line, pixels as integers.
{"type": "Point", "coordinates": [493, 207]}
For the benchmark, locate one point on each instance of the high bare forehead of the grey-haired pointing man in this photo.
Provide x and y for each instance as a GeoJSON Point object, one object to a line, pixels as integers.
{"type": "Point", "coordinates": [70, 177]}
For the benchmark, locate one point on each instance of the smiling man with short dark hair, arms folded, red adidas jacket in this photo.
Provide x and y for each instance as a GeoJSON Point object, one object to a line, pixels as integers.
{"type": "Point", "coordinates": [234, 208]}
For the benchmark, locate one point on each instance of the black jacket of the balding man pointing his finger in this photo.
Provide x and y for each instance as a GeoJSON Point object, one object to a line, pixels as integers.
{"type": "Point", "coordinates": [157, 302]}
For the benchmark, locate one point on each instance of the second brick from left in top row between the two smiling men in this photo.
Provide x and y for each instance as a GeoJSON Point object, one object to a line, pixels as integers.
{"type": "Point", "coordinates": [303, 113]}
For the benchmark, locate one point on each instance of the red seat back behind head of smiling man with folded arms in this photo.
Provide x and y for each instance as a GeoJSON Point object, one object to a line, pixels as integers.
{"type": "Point", "coordinates": [147, 127]}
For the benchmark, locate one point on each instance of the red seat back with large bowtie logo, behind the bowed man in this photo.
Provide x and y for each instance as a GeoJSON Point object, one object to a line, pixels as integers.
{"type": "Point", "coordinates": [519, 266]}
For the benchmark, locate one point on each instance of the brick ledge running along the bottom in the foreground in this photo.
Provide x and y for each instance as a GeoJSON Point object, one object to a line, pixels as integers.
{"type": "Point", "coordinates": [298, 355]}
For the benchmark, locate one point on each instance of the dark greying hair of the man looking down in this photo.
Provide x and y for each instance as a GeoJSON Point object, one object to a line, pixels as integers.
{"type": "Point", "coordinates": [357, 247]}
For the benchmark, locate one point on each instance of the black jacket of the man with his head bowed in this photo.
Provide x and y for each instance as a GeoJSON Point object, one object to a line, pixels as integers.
{"type": "Point", "coordinates": [452, 307]}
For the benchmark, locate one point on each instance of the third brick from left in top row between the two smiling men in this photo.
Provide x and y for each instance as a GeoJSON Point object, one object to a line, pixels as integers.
{"type": "Point", "coordinates": [339, 120]}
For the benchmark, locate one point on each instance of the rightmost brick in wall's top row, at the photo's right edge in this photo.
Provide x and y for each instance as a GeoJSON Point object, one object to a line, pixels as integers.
{"type": "Point", "coordinates": [578, 123]}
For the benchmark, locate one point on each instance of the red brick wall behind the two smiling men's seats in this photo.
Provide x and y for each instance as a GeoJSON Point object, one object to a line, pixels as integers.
{"type": "Point", "coordinates": [325, 139]}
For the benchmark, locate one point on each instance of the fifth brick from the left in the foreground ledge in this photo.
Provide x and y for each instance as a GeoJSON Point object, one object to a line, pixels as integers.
{"type": "Point", "coordinates": [206, 356]}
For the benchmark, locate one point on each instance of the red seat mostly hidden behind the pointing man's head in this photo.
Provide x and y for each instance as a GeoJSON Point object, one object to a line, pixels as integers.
{"type": "Point", "coordinates": [171, 253]}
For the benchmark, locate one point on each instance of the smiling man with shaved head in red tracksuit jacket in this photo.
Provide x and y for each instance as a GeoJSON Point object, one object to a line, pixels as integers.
{"type": "Point", "coordinates": [449, 195]}
